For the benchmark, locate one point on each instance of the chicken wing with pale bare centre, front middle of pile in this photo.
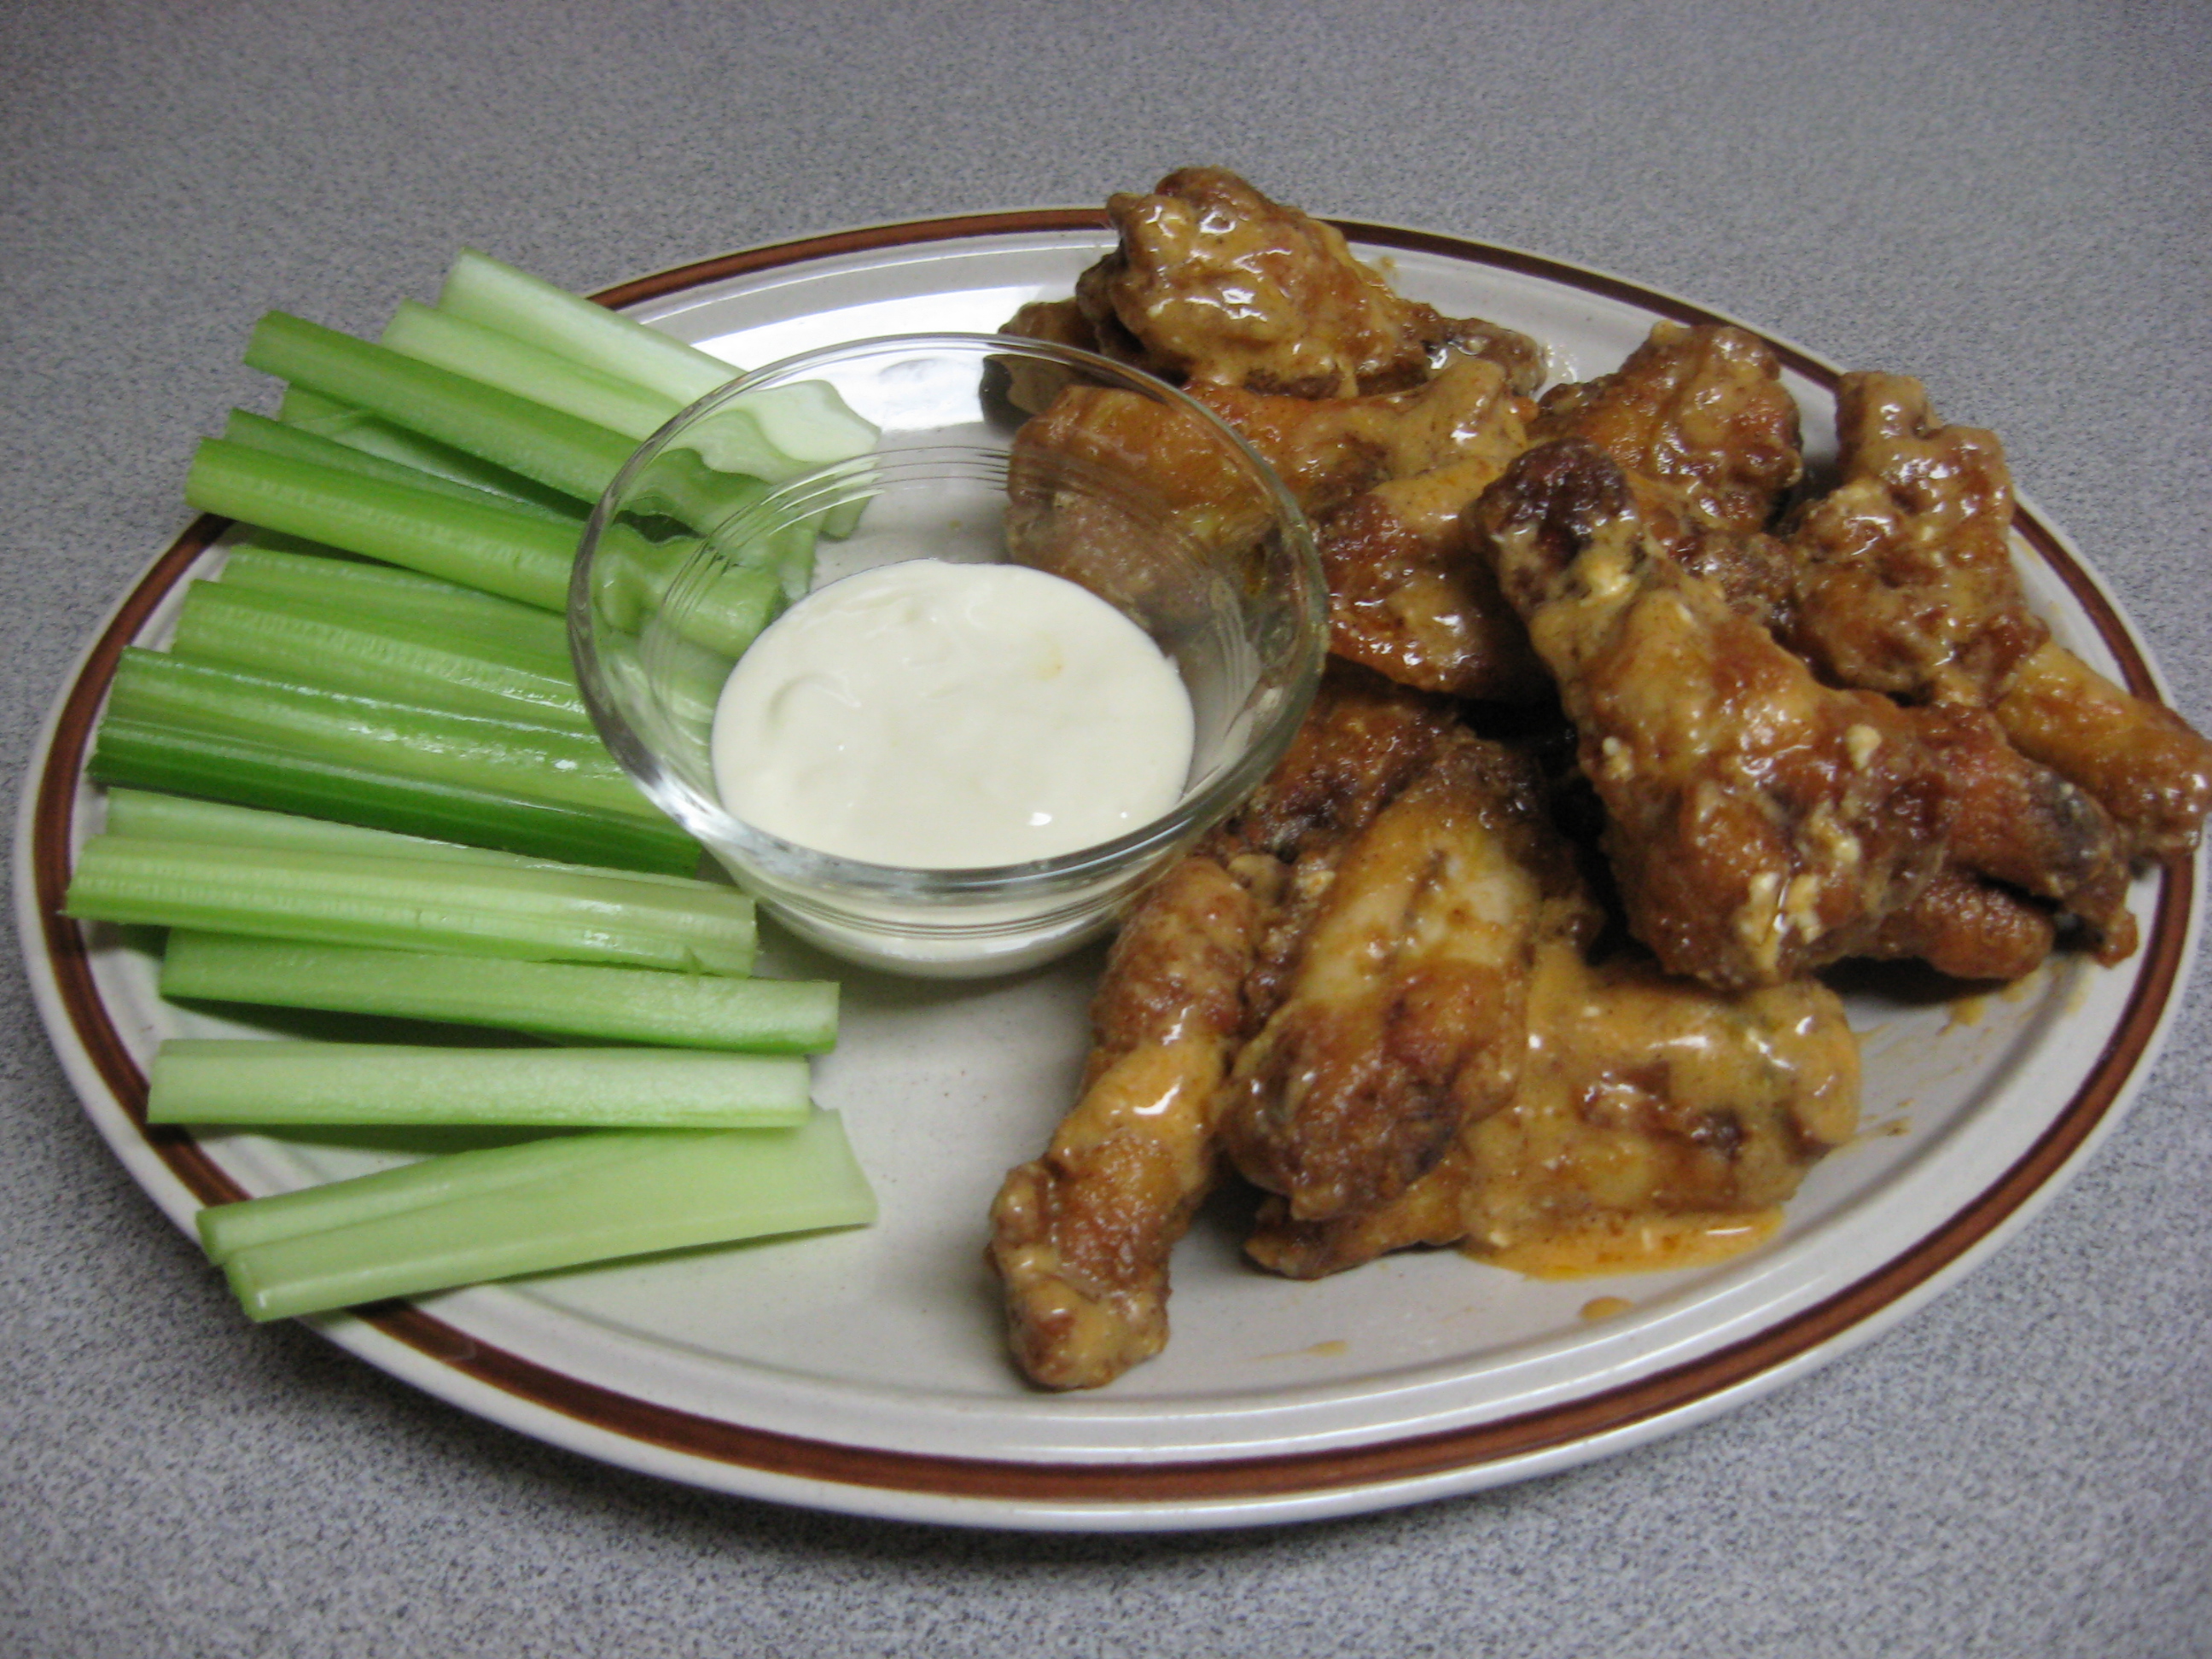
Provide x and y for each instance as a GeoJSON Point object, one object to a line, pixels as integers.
{"type": "Point", "coordinates": [1401, 1014]}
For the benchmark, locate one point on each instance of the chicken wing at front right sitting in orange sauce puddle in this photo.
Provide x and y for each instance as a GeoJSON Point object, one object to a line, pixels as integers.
{"type": "Point", "coordinates": [1640, 1096]}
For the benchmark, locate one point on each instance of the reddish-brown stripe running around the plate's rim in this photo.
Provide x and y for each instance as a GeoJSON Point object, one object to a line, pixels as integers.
{"type": "Point", "coordinates": [1222, 1481]}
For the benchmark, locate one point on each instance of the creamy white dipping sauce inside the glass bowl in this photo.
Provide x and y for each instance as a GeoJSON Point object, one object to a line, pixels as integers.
{"type": "Point", "coordinates": [948, 718]}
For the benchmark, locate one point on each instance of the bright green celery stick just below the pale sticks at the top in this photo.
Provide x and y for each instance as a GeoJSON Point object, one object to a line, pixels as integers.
{"type": "Point", "coordinates": [559, 450]}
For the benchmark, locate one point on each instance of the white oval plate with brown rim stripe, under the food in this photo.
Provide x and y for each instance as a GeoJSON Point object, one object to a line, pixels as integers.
{"type": "Point", "coordinates": [866, 1370]}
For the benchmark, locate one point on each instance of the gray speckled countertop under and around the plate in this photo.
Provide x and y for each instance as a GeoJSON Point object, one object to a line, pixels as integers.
{"type": "Point", "coordinates": [2007, 200]}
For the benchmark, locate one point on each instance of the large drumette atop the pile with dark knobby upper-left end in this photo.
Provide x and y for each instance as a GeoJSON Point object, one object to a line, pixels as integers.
{"type": "Point", "coordinates": [1757, 822]}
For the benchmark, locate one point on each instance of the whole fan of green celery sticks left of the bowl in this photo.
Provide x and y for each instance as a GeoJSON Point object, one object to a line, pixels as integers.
{"type": "Point", "coordinates": [362, 780]}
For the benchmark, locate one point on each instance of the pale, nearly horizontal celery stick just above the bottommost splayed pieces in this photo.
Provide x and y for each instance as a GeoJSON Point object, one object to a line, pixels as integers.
{"type": "Point", "coordinates": [253, 1083]}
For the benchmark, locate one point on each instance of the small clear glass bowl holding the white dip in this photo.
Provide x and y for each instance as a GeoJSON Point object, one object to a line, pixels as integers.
{"type": "Point", "coordinates": [1125, 486]}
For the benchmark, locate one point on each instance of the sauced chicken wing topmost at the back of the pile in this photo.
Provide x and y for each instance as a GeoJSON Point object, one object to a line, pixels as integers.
{"type": "Point", "coordinates": [1215, 282]}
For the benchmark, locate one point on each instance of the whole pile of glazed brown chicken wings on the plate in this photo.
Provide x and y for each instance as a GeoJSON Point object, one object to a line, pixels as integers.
{"type": "Point", "coordinates": [1629, 729]}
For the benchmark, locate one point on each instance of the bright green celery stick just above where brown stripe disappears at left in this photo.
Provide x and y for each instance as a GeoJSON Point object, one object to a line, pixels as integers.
{"type": "Point", "coordinates": [481, 547]}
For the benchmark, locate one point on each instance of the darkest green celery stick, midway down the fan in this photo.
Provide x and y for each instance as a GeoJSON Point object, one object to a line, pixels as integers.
{"type": "Point", "coordinates": [271, 778]}
